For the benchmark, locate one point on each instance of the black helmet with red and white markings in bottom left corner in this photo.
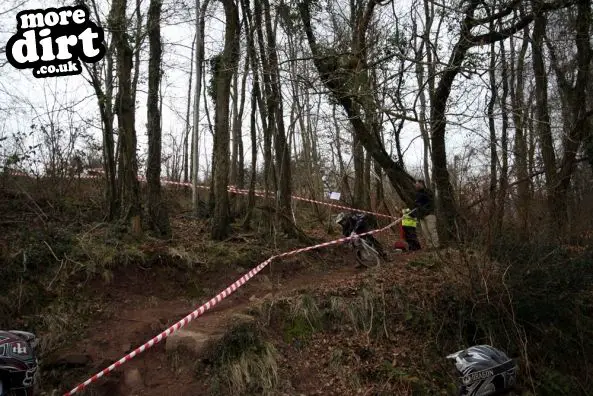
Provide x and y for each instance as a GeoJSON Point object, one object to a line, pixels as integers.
{"type": "Point", "coordinates": [18, 363]}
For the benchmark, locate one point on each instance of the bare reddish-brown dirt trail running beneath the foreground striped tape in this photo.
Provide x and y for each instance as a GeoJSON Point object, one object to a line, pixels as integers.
{"type": "Point", "coordinates": [143, 312]}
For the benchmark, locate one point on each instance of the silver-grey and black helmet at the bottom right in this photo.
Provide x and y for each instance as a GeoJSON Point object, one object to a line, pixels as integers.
{"type": "Point", "coordinates": [484, 371]}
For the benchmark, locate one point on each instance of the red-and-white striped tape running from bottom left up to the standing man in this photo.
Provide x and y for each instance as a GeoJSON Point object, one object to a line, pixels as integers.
{"type": "Point", "coordinates": [211, 303]}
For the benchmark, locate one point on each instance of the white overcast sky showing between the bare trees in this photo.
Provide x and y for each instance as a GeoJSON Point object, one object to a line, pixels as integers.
{"type": "Point", "coordinates": [25, 99]}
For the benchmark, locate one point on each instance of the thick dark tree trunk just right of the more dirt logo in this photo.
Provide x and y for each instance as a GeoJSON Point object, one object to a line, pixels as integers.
{"type": "Point", "coordinates": [129, 187]}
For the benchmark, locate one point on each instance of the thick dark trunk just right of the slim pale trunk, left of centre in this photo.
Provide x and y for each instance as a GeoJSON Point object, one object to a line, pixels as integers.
{"type": "Point", "coordinates": [225, 66]}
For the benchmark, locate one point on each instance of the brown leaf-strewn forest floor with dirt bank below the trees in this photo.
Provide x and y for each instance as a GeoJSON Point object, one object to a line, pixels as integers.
{"type": "Point", "coordinates": [308, 324]}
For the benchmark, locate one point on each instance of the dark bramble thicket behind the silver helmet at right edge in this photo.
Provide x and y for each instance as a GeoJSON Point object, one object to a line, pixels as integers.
{"type": "Point", "coordinates": [538, 307]}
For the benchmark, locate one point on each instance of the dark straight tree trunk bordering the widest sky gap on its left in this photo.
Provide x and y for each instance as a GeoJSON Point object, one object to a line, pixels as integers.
{"type": "Point", "coordinates": [158, 219]}
